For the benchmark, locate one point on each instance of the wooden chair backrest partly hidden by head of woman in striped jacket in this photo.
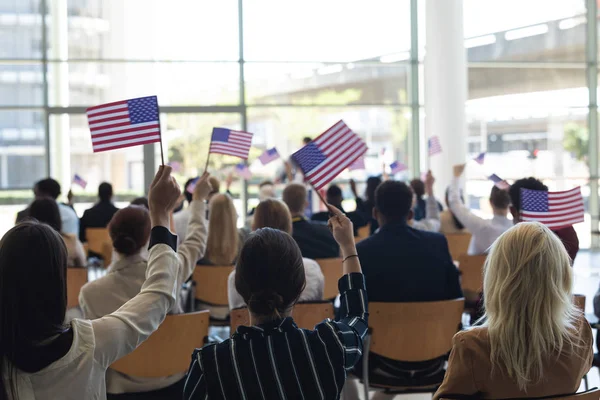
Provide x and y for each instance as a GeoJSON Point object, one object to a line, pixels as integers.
{"type": "Point", "coordinates": [306, 315]}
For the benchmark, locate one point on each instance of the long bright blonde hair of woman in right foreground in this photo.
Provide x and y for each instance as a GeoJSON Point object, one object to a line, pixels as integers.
{"type": "Point", "coordinates": [529, 308]}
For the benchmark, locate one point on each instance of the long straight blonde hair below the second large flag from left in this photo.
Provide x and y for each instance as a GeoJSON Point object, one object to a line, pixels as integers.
{"type": "Point", "coordinates": [222, 246]}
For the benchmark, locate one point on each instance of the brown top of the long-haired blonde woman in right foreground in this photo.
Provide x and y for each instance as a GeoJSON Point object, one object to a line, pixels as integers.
{"type": "Point", "coordinates": [470, 369]}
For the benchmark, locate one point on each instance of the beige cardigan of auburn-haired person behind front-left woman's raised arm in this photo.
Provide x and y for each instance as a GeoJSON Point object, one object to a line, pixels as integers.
{"type": "Point", "coordinates": [124, 280]}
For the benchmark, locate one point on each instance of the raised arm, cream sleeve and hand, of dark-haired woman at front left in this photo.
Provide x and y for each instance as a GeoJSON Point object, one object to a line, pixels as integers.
{"type": "Point", "coordinates": [119, 333]}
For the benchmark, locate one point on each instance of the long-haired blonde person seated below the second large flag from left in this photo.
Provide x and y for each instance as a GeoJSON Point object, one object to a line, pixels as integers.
{"type": "Point", "coordinates": [223, 244]}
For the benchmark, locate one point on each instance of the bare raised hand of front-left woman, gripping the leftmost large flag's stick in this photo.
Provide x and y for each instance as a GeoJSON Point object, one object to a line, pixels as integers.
{"type": "Point", "coordinates": [163, 196]}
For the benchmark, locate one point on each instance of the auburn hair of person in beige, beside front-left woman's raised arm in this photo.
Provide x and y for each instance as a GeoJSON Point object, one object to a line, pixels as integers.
{"type": "Point", "coordinates": [129, 229]}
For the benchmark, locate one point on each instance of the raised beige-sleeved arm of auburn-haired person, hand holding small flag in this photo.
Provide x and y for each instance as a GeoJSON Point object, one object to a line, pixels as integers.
{"type": "Point", "coordinates": [194, 245]}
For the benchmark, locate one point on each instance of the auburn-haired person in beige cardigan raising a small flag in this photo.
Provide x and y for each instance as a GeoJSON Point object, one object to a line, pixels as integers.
{"type": "Point", "coordinates": [130, 231]}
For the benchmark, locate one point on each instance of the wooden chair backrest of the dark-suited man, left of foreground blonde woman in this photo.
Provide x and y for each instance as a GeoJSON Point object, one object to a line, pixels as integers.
{"type": "Point", "coordinates": [414, 331]}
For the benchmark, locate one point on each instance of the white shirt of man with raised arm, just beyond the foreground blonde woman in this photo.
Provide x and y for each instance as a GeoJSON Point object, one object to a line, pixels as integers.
{"type": "Point", "coordinates": [484, 231]}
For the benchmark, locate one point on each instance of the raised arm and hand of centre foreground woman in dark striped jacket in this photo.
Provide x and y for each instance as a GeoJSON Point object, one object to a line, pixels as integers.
{"type": "Point", "coordinates": [348, 332]}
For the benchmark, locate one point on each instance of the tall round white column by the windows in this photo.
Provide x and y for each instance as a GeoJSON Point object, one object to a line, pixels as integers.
{"type": "Point", "coordinates": [445, 87]}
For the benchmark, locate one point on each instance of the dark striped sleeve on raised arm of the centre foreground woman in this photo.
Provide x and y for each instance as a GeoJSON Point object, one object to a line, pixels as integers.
{"type": "Point", "coordinates": [352, 326]}
